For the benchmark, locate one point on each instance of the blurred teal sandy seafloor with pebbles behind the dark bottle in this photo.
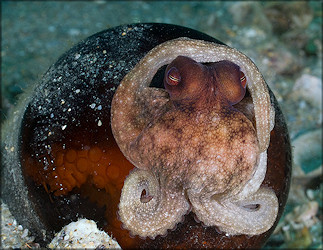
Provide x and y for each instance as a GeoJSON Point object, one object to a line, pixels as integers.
{"type": "Point", "coordinates": [284, 39]}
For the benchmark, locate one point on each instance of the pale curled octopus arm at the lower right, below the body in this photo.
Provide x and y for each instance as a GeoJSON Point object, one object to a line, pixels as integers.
{"type": "Point", "coordinates": [253, 215]}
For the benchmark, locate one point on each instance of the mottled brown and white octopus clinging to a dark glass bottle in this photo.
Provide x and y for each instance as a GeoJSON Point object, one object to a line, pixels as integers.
{"type": "Point", "coordinates": [192, 149]}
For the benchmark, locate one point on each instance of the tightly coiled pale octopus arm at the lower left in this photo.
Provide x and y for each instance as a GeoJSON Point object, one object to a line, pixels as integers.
{"type": "Point", "coordinates": [148, 210]}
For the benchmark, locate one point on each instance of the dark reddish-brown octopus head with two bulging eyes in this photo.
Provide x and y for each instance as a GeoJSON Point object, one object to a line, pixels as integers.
{"type": "Point", "coordinates": [189, 81]}
